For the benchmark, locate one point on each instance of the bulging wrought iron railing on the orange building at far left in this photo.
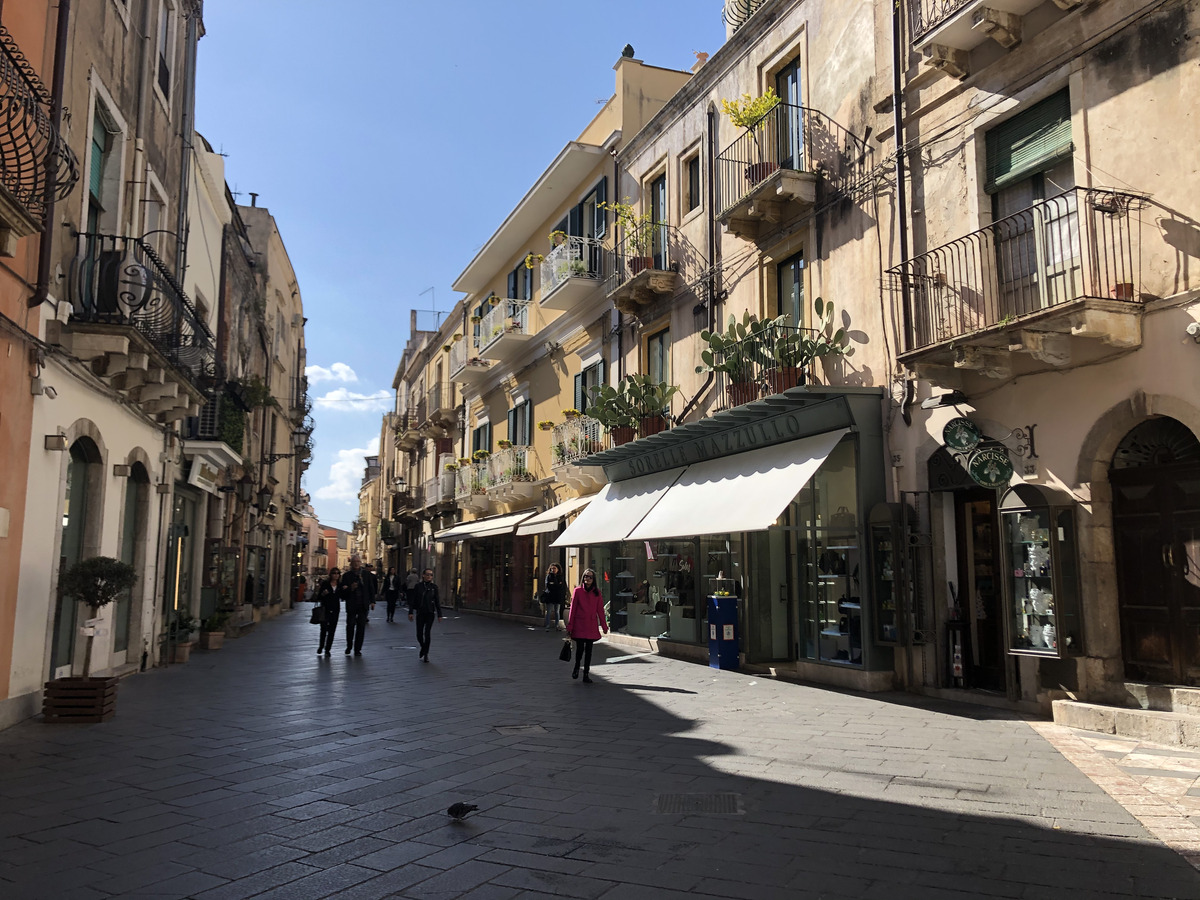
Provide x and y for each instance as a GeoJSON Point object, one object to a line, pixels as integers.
{"type": "Point", "coordinates": [34, 158]}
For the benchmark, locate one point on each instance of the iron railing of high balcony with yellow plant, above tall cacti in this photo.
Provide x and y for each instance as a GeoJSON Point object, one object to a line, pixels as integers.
{"type": "Point", "coordinates": [797, 139]}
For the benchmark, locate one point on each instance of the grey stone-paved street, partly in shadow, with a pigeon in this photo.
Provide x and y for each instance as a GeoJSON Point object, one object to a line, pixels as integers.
{"type": "Point", "coordinates": [261, 771]}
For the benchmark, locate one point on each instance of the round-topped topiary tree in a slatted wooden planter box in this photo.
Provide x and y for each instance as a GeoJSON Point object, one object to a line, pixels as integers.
{"type": "Point", "coordinates": [97, 581]}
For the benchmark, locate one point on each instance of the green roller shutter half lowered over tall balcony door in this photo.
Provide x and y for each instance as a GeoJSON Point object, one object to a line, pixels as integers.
{"type": "Point", "coordinates": [1029, 143]}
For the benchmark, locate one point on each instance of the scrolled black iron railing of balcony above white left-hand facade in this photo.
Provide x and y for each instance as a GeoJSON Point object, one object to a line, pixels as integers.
{"type": "Point", "coordinates": [121, 281]}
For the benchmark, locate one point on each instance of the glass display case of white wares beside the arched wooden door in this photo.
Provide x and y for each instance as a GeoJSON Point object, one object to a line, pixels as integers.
{"type": "Point", "coordinates": [1042, 573]}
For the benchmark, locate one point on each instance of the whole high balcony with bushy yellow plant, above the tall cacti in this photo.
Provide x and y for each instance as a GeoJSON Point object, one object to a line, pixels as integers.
{"type": "Point", "coordinates": [793, 159]}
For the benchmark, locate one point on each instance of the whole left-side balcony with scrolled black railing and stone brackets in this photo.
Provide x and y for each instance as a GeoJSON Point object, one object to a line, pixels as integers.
{"type": "Point", "coordinates": [136, 328]}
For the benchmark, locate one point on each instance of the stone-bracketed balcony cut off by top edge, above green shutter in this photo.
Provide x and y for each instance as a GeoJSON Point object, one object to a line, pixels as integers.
{"type": "Point", "coordinates": [946, 31]}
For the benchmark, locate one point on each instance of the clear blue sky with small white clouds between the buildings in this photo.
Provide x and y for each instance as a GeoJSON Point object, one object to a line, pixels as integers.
{"type": "Point", "coordinates": [389, 141]}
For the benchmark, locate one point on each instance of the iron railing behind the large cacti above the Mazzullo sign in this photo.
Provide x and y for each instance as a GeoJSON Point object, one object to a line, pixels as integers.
{"type": "Point", "coordinates": [766, 363]}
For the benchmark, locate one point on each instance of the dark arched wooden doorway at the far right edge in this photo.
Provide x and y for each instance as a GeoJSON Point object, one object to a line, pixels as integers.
{"type": "Point", "coordinates": [1156, 532]}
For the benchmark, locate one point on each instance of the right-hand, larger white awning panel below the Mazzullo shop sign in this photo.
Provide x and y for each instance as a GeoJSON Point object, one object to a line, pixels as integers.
{"type": "Point", "coordinates": [743, 493]}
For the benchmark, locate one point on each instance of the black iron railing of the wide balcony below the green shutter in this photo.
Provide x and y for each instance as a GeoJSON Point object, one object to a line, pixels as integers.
{"type": "Point", "coordinates": [1078, 245]}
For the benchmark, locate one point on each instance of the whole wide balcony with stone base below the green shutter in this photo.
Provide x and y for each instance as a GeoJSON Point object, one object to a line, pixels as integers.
{"type": "Point", "coordinates": [1053, 286]}
